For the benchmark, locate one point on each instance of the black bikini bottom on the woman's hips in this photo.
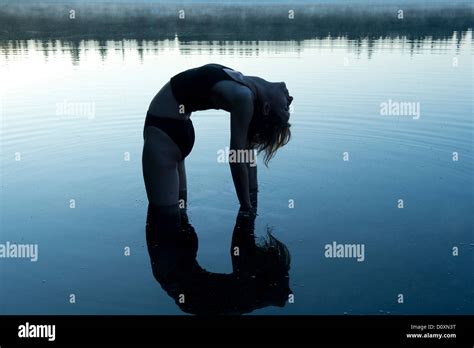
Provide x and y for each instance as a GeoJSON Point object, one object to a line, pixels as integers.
{"type": "Point", "coordinates": [181, 131]}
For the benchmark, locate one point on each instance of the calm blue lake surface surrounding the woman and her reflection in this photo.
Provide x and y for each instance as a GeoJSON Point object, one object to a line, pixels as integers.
{"type": "Point", "coordinates": [73, 100]}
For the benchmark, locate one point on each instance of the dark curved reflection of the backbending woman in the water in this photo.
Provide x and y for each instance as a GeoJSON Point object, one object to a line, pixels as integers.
{"type": "Point", "coordinates": [260, 271]}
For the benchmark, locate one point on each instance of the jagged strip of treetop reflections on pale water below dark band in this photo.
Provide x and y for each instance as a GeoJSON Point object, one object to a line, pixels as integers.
{"type": "Point", "coordinates": [77, 47]}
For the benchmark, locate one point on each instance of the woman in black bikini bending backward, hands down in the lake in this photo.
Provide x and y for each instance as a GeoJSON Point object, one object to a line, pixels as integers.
{"type": "Point", "coordinates": [259, 120]}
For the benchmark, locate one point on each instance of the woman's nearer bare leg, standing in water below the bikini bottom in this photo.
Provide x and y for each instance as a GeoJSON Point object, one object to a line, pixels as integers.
{"type": "Point", "coordinates": [160, 167]}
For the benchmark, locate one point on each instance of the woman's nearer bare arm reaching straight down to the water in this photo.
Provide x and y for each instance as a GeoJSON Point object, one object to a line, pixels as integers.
{"type": "Point", "coordinates": [240, 117]}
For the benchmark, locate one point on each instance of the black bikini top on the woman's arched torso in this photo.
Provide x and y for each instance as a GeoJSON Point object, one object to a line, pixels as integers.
{"type": "Point", "coordinates": [192, 88]}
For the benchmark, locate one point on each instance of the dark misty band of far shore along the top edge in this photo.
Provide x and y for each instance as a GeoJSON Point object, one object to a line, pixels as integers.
{"type": "Point", "coordinates": [228, 22]}
